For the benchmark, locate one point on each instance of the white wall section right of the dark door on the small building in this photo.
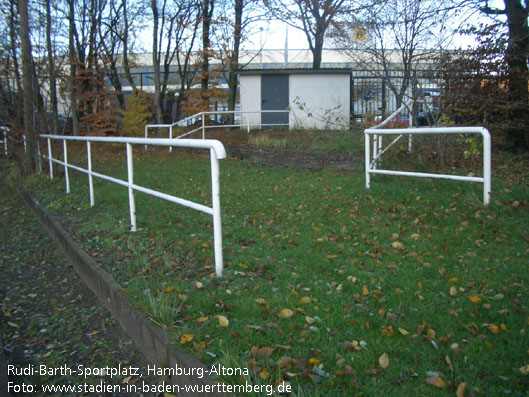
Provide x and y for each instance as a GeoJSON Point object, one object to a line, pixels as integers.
{"type": "Point", "coordinates": [320, 101]}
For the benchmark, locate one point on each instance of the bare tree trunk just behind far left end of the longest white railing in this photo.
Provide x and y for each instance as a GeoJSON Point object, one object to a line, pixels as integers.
{"type": "Point", "coordinates": [30, 159]}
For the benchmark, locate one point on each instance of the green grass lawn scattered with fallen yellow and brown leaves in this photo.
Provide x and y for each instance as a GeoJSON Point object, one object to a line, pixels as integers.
{"type": "Point", "coordinates": [412, 288]}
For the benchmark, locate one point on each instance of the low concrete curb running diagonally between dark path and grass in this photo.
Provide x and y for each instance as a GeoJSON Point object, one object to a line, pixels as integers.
{"type": "Point", "coordinates": [151, 339]}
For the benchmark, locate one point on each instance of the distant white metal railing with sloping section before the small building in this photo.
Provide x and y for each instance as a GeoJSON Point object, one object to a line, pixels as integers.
{"type": "Point", "coordinates": [203, 127]}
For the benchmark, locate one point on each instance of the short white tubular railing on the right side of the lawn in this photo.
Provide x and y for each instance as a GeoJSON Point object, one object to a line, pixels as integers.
{"type": "Point", "coordinates": [371, 162]}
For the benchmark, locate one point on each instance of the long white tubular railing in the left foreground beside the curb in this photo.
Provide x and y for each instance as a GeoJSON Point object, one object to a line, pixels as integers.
{"type": "Point", "coordinates": [217, 152]}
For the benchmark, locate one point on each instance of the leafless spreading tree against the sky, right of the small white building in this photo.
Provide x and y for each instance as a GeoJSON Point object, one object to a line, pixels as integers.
{"type": "Point", "coordinates": [400, 37]}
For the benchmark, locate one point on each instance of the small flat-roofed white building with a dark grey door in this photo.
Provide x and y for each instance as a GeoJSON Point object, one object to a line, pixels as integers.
{"type": "Point", "coordinates": [314, 99]}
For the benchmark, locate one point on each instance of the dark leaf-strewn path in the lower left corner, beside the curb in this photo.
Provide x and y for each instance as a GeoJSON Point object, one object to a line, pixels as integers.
{"type": "Point", "coordinates": [48, 317]}
